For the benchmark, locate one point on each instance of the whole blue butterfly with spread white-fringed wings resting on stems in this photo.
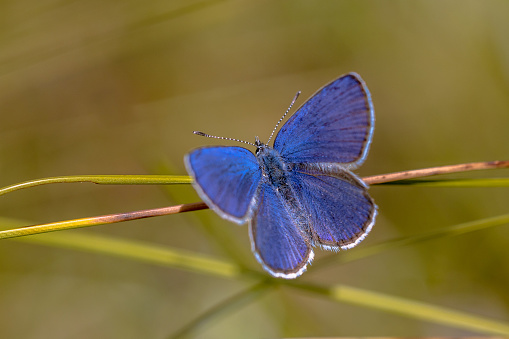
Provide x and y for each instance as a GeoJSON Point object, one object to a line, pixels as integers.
{"type": "Point", "coordinates": [299, 193]}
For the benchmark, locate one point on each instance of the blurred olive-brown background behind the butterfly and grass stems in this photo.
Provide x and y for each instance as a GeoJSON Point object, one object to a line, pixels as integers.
{"type": "Point", "coordinates": [117, 87]}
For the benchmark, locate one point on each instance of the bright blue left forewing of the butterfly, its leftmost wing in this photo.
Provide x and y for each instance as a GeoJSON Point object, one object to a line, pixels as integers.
{"type": "Point", "coordinates": [226, 178]}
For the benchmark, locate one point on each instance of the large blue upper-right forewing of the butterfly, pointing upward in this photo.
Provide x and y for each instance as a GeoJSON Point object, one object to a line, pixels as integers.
{"type": "Point", "coordinates": [334, 126]}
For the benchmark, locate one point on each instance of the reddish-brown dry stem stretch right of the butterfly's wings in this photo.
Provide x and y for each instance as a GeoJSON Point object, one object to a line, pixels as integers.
{"type": "Point", "coordinates": [426, 172]}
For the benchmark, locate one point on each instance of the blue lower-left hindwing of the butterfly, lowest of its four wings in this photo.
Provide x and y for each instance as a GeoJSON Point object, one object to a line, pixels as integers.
{"type": "Point", "coordinates": [276, 239]}
